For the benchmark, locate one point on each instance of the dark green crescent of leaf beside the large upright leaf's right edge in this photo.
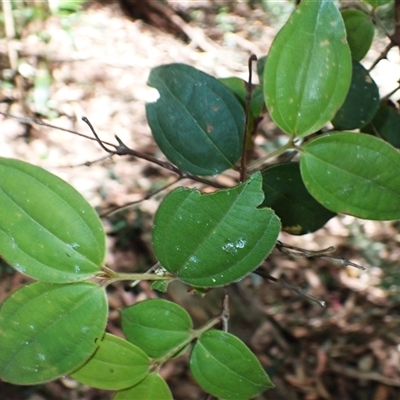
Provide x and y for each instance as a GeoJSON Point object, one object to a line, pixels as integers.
{"type": "Point", "coordinates": [362, 101]}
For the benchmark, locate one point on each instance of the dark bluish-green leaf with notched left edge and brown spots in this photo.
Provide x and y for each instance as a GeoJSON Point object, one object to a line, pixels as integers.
{"type": "Point", "coordinates": [186, 120]}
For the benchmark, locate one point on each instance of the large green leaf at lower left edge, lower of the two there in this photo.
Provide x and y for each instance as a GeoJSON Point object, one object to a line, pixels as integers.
{"type": "Point", "coordinates": [49, 330]}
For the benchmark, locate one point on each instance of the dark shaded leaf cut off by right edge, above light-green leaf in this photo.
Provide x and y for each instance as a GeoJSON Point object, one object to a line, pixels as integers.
{"type": "Point", "coordinates": [386, 124]}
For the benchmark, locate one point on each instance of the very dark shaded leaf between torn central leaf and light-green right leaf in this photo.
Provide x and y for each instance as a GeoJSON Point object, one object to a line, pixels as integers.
{"type": "Point", "coordinates": [286, 194]}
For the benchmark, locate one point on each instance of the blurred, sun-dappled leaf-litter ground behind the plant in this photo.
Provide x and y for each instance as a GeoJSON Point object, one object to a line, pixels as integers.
{"type": "Point", "coordinates": [99, 61]}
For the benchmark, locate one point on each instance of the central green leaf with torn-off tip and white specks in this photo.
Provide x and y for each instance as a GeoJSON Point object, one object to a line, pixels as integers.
{"type": "Point", "coordinates": [214, 239]}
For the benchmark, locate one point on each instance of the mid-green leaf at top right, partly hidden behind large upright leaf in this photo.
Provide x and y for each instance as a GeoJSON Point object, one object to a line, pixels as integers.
{"type": "Point", "coordinates": [360, 32]}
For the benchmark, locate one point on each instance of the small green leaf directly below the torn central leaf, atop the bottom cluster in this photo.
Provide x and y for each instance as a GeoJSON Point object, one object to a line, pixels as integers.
{"type": "Point", "coordinates": [156, 326]}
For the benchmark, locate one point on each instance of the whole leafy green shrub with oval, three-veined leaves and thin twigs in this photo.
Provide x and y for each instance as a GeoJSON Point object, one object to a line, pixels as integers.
{"type": "Point", "coordinates": [312, 77]}
